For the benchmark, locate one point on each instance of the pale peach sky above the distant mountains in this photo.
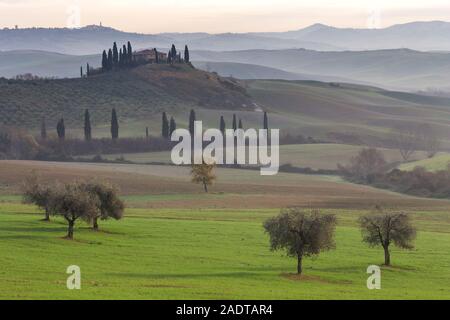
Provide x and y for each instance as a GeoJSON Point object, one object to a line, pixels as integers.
{"type": "Point", "coordinates": [155, 16]}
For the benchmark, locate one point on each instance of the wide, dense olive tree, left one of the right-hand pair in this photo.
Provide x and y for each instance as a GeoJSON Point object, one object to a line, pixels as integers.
{"type": "Point", "coordinates": [301, 233]}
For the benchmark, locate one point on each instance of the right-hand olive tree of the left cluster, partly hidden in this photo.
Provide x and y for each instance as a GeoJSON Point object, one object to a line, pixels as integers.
{"type": "Point", "coordinates": [109, 204]}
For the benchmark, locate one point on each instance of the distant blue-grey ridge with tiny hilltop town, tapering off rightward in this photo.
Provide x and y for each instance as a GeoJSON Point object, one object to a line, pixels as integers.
{"type": "Point", "coordinates": [94, 39]}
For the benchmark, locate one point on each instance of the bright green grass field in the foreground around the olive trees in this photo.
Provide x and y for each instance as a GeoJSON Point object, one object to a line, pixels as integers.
{"type": "Point", "coordinates": [207, 254]}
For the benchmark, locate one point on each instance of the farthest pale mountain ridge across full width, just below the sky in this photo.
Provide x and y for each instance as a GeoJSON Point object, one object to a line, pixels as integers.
{"type": "Point", "coordinates": [422, 36]}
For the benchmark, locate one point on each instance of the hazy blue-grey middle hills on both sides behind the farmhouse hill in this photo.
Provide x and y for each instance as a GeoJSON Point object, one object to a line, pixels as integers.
{"type": "Point", "coordinates": [399, 69]}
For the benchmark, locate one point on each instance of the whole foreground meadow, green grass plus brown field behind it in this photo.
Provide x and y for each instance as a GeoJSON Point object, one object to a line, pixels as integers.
{"type": "Point", "coordinates": [176, 242]}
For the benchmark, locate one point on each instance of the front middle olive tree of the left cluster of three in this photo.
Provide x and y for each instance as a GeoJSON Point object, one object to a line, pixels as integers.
{"type": "Point", "coordinates": [74, 202]}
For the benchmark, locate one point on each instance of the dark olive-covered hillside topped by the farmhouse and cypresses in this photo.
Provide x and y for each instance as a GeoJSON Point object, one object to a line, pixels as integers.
{"type": "Point", "coordinates": [136, 93]}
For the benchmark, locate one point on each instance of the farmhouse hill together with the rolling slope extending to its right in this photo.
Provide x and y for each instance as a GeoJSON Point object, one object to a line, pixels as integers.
{"type": "Point", "coordinates": [338, 112]}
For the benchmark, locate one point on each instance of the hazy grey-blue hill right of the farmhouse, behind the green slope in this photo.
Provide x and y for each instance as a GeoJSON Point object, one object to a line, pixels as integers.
{"type": "Point", "coordinates": [399, 69]}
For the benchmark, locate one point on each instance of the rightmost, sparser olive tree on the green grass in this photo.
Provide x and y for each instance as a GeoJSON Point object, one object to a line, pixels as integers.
{"type": "Point", "coordinates": [381, 228]}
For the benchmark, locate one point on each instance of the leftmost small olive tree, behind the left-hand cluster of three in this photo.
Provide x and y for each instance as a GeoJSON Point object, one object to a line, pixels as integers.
{"type": "Point", "coordinates": [38, 193]}
